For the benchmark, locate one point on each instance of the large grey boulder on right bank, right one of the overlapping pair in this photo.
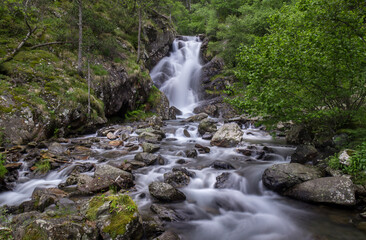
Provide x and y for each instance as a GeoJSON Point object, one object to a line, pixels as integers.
{"type": "Point", "coordinates": [333, 190]}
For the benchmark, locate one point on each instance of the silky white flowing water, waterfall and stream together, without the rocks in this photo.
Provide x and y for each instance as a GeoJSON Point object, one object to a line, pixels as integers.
{"type": "Point", "coordinates": [241, 208]}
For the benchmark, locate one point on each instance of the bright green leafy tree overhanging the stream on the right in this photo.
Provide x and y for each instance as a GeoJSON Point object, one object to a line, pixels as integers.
{"type": "Point", "coordinates": [310, 68]}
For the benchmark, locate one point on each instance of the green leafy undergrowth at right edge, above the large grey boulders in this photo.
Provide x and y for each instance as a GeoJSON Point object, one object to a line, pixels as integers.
{"type": "Point", "coordinates": [357, 166]}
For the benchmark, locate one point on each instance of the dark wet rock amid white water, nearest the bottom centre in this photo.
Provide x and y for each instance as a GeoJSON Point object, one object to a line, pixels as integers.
{"type": "Point", "coordinates": [165, 192]}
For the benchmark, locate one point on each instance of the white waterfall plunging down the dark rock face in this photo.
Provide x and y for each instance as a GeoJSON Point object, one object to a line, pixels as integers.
{"type": "Point", "coordinates": [178, 74]}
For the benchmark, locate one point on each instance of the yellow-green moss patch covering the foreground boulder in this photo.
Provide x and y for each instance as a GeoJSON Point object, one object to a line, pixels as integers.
{"type": "Point", "coordinates": [122, 211]}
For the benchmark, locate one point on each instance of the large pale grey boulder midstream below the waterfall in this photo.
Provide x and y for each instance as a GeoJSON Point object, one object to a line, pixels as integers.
{"type": "Point", "coordinates": [229, 135]}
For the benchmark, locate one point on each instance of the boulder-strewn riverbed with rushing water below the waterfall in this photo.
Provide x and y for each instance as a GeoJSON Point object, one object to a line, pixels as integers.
{"type": "Point", "coordinates": [190, 178]}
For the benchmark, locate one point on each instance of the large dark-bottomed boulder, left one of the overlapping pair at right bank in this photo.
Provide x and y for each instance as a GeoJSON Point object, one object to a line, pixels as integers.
{"type": "Point", "coordinates": [281, 177]}
